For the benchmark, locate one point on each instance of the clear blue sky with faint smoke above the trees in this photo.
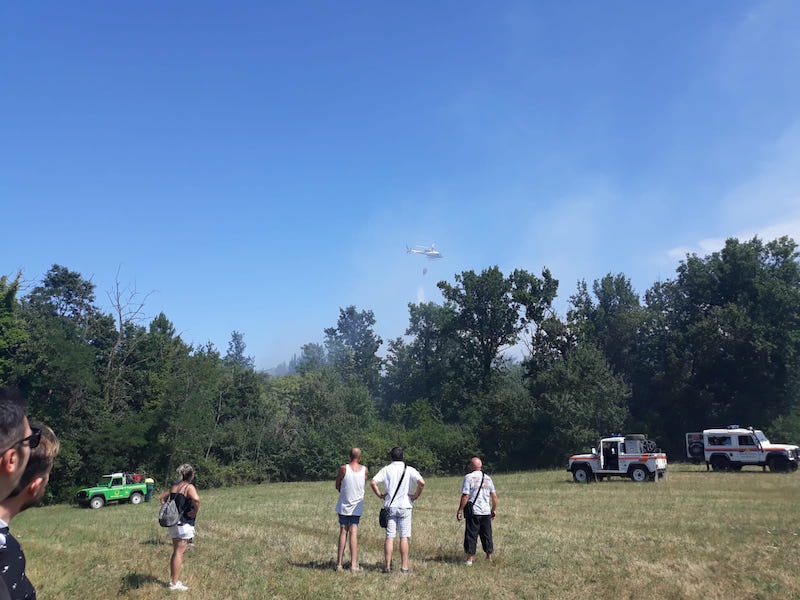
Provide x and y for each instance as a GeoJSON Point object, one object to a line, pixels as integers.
{"type": "Point", "coordinates": [255, 166]}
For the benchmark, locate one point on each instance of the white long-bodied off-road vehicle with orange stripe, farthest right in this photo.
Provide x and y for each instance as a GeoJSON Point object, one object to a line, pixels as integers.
{"type": "Point", "coordinates": [735, 447]}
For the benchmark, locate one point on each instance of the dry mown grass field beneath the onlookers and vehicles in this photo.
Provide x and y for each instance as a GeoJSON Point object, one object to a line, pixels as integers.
{"type": "Point", "coordinates": [694, 535]}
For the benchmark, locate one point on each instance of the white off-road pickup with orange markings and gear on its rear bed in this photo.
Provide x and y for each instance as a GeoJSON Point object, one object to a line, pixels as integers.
{"type": "Point", "coordinates": [630, 455]}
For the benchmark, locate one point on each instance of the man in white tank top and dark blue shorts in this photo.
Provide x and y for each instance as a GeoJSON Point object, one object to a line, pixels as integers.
{"type": "Point", "coordinates": [350, 483]}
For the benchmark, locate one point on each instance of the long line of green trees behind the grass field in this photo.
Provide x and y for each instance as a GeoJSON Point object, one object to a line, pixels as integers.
{"type": "Point", "coordinates": [719, 343]}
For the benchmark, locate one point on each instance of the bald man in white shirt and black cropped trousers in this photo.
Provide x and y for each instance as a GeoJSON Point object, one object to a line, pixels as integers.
{"type": "Point", "coordinates": [478, 489]}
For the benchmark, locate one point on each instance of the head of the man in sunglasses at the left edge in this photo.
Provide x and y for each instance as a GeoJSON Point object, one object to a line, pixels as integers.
{"type": "Point", "coordinates": [16, 440]}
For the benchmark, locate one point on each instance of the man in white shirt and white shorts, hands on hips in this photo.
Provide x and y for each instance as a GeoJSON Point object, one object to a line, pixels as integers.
{"type": "Point", "coordinates": [397, 479]}
